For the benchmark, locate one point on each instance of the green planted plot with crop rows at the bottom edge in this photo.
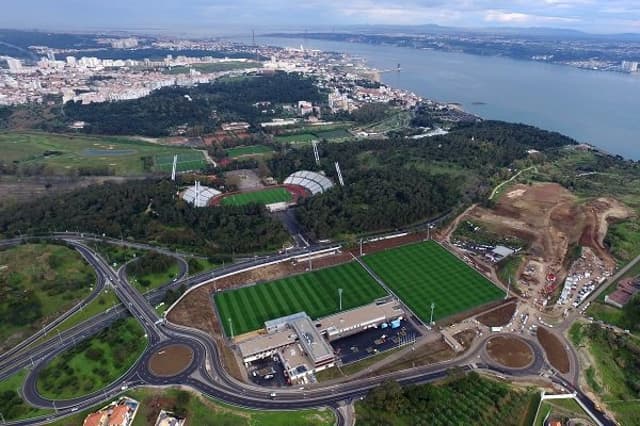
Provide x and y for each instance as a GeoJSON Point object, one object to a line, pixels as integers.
{"type": "Point", "coordinates": [469, 400]}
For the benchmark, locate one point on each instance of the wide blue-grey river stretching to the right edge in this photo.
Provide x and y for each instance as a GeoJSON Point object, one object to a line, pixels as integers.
{"type": "Point", "coordinates": [601, 108]}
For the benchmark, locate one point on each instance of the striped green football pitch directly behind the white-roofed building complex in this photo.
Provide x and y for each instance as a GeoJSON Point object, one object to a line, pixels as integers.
{"type": "Point", "coordinates": [315, 292]}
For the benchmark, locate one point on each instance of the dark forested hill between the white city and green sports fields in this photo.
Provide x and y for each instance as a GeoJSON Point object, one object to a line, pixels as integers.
{"type": "Point", "coordinates": [200, 107]}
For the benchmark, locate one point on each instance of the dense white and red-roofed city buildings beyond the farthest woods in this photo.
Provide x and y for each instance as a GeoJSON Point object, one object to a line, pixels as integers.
{"type": "Point", "coordinates": [88, 79]}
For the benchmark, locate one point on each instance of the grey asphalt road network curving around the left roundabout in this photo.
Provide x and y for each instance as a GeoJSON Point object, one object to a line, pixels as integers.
{"type": "Point", "coordinates": [206, 373]}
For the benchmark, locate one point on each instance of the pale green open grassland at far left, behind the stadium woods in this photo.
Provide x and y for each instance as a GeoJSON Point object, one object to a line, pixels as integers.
{"type": "Point", "coordinates": [67, 154]}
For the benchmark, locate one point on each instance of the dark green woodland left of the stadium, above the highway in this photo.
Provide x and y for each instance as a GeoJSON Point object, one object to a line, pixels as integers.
{"type": "Point", "coordinates": [147, 210]}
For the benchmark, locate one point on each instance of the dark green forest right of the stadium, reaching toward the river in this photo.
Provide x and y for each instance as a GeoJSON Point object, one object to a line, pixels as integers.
{"type": "Point", "coordinates": [394, 183]}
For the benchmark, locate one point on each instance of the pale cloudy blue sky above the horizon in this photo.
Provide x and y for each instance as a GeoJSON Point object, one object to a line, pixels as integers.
{"type": "Point", "coordinates": [613, 16]}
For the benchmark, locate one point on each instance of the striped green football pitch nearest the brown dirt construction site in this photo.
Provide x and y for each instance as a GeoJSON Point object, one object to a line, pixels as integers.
{"type": "Point", "coordinates": [425, 272]}
